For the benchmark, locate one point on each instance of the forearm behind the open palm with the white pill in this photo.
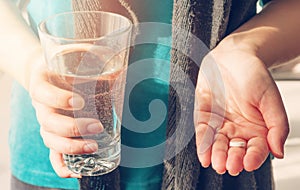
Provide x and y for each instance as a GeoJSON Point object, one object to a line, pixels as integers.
{"type": "Point", "coordinates": [273, 35]}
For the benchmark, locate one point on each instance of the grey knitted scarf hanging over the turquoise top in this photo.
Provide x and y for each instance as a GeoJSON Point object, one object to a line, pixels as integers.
{"type": "Point", "coordinates": [210, 21]}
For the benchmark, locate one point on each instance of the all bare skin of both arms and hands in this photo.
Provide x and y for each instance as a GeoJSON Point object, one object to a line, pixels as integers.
{"type": "Point", "coordinates": [252, 113]}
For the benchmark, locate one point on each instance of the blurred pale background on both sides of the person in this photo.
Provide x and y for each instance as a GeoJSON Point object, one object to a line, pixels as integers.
{"type": "Point", "coordinates": [286, 171]}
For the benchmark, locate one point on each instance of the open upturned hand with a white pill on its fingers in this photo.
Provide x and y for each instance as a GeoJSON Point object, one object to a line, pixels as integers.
{"type": "Point", "coordinates": [237, 101]}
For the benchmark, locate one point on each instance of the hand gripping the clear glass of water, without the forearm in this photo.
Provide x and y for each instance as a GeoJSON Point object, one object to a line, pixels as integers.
{"type": "Point", "coordinates": [57, 129]}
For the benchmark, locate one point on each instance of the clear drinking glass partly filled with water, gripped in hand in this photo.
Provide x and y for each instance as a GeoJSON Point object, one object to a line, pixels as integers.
{"type": "Point", "coordinates": [87, 53]}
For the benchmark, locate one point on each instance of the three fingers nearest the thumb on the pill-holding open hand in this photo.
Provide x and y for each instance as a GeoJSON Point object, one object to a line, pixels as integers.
{"type": "Point", "coordinates": [236, 158]}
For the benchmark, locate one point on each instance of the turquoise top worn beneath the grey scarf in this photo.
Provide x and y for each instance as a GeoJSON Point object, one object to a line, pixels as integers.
{"type": "Point", "coordinates": [29, 156]}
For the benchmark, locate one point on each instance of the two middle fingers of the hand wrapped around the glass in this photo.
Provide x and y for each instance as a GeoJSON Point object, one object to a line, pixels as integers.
{"type": "Point", "coordinates": [56, 128]}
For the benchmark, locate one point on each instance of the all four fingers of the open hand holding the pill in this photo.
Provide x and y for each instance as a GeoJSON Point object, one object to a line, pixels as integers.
{"type": "Point", "coordinates": [215, 149]}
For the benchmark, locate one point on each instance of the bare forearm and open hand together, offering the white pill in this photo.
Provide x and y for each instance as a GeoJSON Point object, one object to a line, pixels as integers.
{"type": "Point", "coordinates": [253, 111]}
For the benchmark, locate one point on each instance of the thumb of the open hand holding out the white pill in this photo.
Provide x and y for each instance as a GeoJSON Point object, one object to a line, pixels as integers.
{"type": "Point", "coordinates": [274, 114]}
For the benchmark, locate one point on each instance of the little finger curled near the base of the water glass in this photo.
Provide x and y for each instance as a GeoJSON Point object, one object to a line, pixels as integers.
{"type": "Point", "coordinates": [59, 166]}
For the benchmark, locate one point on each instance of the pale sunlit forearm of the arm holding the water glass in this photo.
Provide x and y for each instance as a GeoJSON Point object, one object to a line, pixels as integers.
{"type": "Point", "coordinates": [18, 44]}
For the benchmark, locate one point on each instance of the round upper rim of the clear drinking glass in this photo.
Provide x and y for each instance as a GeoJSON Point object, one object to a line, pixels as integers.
{"type": "Point", "coordinates": [117, 33]}
